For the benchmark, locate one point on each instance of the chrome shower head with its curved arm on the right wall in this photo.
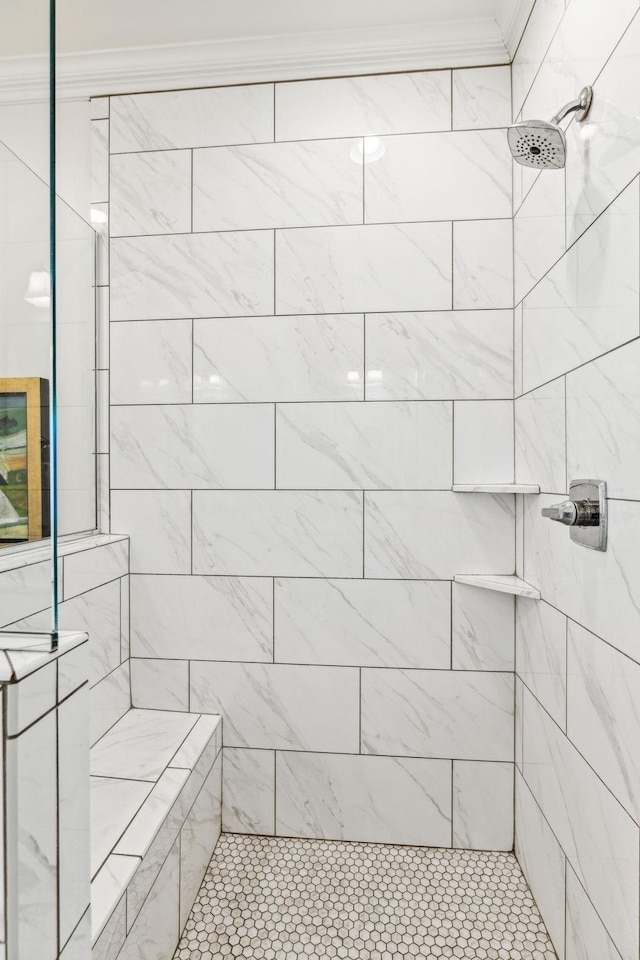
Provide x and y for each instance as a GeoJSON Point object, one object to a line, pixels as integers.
{"type": "Point", "coordinates": [542, 143]}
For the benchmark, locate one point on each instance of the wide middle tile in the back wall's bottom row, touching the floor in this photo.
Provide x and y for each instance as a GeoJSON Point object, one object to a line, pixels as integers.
{"type": "Point", "coordinates": [375, 799]}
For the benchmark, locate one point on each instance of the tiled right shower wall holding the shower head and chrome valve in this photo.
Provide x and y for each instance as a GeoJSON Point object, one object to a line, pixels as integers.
{"type": "Point", "coordinates": [578, 415]}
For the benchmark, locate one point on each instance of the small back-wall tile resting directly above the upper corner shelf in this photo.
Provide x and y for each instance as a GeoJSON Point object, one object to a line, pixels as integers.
{"type": "Point", "coordinates": [483, 442]}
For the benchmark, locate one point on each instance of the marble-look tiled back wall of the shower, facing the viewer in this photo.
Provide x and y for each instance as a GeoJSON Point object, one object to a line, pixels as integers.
{"type": "Point", "coordinates": [306, 350]}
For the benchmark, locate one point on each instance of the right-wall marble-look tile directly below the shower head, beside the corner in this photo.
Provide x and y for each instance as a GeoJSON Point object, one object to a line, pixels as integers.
{"type": "Point", "coordinates": [539, 232]}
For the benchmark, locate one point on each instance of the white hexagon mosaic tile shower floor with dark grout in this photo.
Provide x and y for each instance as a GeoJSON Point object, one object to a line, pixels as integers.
{"type": "Point", "coordinates": [279, 899]}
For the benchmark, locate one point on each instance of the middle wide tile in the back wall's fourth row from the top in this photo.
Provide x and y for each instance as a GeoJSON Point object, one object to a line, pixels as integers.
{"type": "Point", "coordinates": [291, 358]}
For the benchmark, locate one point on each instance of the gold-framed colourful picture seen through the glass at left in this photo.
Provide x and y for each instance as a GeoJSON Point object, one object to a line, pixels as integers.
{"type": "Point", "coordinates": [24, 459]}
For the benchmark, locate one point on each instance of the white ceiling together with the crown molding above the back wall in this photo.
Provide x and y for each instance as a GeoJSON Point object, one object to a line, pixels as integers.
{"type": "Point", "coordinates": [116, 46]}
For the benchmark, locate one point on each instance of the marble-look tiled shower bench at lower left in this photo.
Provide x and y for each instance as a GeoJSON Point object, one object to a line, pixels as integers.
{"type": "Point", "coordinates": [155, 821]}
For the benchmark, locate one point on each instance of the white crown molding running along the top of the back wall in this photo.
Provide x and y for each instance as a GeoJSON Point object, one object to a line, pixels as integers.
{"type": "Point", "coordinates": [421, 46]}
